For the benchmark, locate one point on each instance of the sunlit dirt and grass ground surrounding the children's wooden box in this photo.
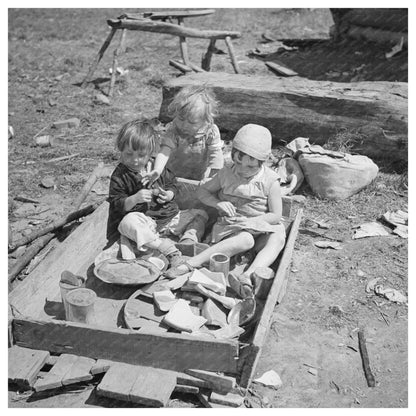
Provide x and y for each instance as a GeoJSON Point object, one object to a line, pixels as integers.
{"type": "Point", "coordinates": [315, 326]}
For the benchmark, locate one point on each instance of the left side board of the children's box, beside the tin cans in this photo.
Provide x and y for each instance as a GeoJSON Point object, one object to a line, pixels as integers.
{"type": "Point", "coordinates": [76, 253]}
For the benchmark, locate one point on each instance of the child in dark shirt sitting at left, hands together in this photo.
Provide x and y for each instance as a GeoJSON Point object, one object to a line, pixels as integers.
{"type": "Point", "coordinates": [142, 215]}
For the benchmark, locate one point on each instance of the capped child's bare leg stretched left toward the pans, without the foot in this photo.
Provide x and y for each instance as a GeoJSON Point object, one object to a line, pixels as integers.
{"type": "Point", "coordinates": [236, 244]}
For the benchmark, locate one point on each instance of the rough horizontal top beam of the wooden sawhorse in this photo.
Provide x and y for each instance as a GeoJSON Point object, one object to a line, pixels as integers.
{"type": "Point", "coordinates": [148, 25]}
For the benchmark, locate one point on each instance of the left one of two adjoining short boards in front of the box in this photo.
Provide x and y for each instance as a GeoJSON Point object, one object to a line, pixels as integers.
{"type": "Point", "coordinates": [118, 381]}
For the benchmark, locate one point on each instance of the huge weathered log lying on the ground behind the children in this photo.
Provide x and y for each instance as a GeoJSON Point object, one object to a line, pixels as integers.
{"type": "Point", "coordinates": [293, 107]}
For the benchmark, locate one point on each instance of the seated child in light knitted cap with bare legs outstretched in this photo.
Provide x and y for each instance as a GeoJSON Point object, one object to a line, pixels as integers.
{"type": "Point", "coordinates": [247, 197]}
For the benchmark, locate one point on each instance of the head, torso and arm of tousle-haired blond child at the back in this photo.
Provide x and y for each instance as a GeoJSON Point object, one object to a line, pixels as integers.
{"type": "Point", "coordinates": [191, 146]}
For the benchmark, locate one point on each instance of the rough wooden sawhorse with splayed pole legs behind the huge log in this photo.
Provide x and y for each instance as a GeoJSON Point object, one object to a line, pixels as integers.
{"type": "Point", "coordinates": [157, 22]}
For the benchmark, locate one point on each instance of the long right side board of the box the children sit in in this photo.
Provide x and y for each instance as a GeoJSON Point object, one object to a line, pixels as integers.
{"type": "Point", "coordinates": [263, 325]}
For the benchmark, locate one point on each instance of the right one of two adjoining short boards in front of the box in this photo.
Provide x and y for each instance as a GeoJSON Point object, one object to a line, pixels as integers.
{"type": "Point", "coordinates": [153, 387]}
